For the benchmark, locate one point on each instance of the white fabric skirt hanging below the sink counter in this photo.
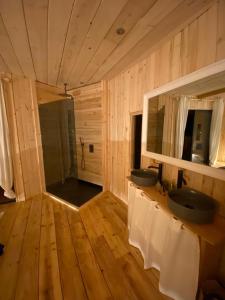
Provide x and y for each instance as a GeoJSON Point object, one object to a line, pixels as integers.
{"type": "Point", "coordinates": [165, 244]}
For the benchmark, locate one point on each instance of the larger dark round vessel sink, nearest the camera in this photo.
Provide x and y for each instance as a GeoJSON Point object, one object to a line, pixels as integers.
{"type": "Point", "coordinates": [192, 205]}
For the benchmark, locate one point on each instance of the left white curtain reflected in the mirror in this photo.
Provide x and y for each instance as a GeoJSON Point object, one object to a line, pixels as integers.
{"type": "Point", "coordinates": [182, 115]}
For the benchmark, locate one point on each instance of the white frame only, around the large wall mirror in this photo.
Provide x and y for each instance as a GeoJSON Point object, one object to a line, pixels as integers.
{"type": "Point", "coordinates": [202, 73]}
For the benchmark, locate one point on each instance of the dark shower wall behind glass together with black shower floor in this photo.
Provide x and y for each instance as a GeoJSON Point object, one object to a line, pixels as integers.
{"type": "Point", "coordinates": [57, 122]}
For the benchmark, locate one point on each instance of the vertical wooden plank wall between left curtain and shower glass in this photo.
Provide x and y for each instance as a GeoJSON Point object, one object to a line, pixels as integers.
{"type": "Point", "coordinates": [21, 103]}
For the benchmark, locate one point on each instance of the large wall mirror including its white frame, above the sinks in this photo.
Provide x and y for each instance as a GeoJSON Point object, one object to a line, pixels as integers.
{"type": "Point", "coordinates": [184, 121]}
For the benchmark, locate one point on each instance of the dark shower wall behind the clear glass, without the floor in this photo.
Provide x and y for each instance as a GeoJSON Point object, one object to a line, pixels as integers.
{"type": "Point", "coordinates": [57, 131]}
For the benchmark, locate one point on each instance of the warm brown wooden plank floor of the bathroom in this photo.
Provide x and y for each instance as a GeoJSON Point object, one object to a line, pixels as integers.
{"type": "Point", "coordinates": [54, 252]}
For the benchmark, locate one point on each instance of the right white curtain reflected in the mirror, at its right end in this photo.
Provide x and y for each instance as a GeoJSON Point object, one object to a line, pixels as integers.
{"type": "Point", "coordinates": [215, 130]}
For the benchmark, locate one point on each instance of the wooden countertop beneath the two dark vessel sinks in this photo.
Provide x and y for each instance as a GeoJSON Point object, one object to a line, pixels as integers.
{"type": "Point", "coordinates": [213, 233]}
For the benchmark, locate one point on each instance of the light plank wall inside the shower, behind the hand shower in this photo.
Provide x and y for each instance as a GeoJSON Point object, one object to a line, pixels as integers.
{"type": "Point", "coordinates": [89, 127]}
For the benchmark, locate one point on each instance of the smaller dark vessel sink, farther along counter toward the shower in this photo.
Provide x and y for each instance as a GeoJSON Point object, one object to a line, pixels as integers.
{"type": "Point", "coordinates": [144, 177]}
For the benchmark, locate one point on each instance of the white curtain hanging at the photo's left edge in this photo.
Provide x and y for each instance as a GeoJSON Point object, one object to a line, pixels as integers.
{"type": "Point", "coordinates": [6, 172]}
